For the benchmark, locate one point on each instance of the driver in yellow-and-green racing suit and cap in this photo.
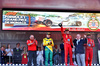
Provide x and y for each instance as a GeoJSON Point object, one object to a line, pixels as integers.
{"type": "Point", "coordinates": [48, 43]}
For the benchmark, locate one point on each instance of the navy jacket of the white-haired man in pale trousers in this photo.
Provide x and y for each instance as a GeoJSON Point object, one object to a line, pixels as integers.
{"type": "Point", "coordinates": [79, 48]}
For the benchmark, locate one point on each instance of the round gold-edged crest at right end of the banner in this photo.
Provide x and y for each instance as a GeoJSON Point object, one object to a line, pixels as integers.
{"type": "Point", "coordinates": [93, 23]}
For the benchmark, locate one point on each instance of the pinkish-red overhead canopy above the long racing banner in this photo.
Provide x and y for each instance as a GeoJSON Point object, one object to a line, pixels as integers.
{"type": "Point", "coordinates": [52, 4]}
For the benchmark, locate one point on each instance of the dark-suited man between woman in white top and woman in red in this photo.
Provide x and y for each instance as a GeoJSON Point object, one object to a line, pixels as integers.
{"type": "Point", "coordinates": [17, 54]}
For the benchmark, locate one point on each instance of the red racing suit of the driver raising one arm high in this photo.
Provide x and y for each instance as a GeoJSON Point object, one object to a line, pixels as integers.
{"type": "Point", "coordinates": [67, 46]}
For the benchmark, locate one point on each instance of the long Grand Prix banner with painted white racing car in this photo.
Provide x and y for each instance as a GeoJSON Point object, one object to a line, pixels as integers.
{"type": "Point", "coordinates": [48, 20]}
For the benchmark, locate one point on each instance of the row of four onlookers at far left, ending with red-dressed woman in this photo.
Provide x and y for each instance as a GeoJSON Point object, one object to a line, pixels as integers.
{"type": "Point", "coordinates": [17, 55]}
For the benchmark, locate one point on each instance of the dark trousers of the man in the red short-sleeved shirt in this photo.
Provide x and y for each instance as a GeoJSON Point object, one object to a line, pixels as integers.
{"type": "Point", "coordinates": [32, 55]}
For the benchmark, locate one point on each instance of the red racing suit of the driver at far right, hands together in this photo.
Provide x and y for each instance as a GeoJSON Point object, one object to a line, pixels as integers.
{"type": "Point", "coordinates": [89, 51]}
